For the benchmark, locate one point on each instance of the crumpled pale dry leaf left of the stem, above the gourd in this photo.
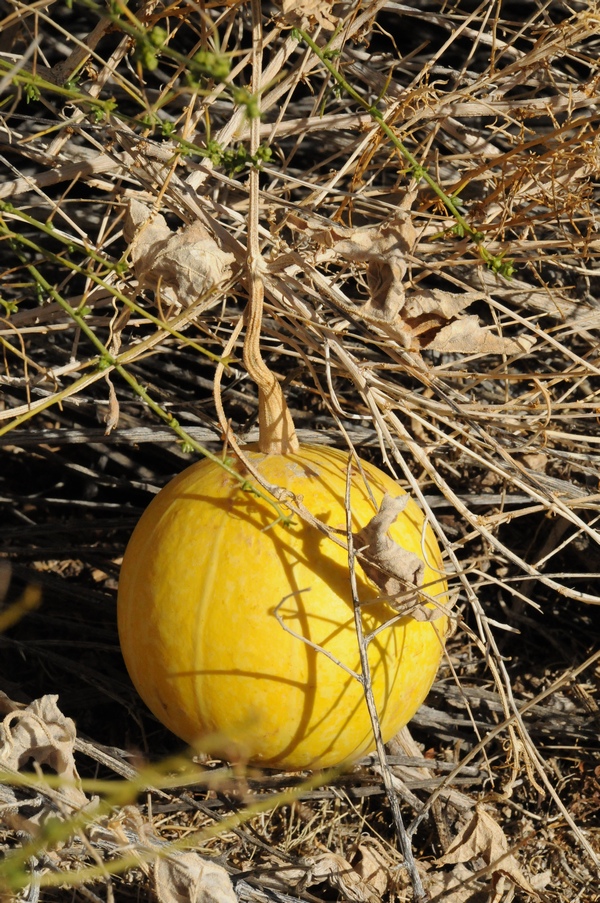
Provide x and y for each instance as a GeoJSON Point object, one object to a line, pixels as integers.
{"type": "Point", "coordinates": [183, 266]}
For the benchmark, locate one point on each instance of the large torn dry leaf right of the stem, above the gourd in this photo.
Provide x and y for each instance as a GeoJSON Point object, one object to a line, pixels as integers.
{"type": "Point", "coordinates": [426, 319]}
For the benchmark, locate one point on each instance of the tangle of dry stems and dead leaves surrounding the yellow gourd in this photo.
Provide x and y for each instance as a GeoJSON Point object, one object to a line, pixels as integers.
{"type": "Point", "coordinates": [429, 231]}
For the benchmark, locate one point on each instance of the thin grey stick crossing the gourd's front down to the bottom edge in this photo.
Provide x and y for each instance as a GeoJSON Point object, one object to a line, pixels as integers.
{"type": "Point", "coordinates": [388, 780]}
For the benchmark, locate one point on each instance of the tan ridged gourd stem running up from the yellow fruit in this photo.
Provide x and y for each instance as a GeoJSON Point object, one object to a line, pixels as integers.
{"type": "Point", "coordinates": [277, 435]}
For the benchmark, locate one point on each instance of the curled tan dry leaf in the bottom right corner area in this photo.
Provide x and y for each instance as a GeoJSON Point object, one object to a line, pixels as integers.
{"type": "Point", "coordinates": [482, 837]}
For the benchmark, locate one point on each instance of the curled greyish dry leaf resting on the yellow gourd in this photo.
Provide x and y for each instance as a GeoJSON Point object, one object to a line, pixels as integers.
{"type": "Point", "coordinates": [395, 571]}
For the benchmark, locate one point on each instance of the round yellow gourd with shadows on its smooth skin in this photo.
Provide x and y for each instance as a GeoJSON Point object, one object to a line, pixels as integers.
{"type": "Point", "coordinates": [202, 576]}
